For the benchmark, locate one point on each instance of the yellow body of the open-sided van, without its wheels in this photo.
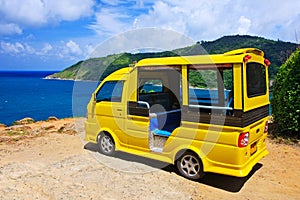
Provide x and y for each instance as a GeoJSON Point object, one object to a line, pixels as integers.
{"type": "Point", "coordinates": [227, 139]}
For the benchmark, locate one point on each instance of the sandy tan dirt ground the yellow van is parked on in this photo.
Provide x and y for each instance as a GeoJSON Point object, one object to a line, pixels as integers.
{"type": "Point", "coordinates": [59, 164]}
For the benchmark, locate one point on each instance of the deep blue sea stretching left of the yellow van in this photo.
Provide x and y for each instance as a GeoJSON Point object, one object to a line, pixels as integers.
{"type": "Point", "coordinates": [29, 94]}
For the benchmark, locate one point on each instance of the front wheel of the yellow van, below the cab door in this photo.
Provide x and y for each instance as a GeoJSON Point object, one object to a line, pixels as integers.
{"type": "Point", "coordinates": [106, 144]}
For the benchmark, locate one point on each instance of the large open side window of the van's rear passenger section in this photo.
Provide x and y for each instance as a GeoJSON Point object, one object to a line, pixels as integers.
{"type": "Point", "coordinates": [211, 86]}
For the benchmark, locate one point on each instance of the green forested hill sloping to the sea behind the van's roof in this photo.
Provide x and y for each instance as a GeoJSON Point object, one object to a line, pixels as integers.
{"type": "Point", "coordinates": [91, 69]}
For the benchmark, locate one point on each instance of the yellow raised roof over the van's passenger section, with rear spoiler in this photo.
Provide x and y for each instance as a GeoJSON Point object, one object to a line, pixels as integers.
{"type": "Point", "coordinates": [234, 56]}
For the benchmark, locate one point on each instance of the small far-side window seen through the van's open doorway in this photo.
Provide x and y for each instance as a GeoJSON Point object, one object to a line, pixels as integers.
{"type": "Point", "coordinates": [150, 86]}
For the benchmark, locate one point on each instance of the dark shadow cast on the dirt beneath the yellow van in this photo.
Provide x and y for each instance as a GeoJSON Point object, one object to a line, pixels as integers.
{"type": "Point", "coordinates": [223, 182]}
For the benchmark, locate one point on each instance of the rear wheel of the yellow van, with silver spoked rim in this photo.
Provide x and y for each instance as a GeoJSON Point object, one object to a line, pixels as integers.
{"type": "Point", "coordinates": [190, 166]}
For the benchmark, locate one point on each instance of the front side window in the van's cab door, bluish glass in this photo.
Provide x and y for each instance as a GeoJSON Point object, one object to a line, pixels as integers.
{"type": "Point", "coordinates": [110, 91]}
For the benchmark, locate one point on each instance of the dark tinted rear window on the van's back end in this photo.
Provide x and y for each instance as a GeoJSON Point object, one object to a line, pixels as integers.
{"type": "Point", "coordinates": [256, 79]}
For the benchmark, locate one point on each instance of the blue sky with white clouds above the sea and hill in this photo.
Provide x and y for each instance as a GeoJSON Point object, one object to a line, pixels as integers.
{"type": "Point", "coordinates": [52, 35]}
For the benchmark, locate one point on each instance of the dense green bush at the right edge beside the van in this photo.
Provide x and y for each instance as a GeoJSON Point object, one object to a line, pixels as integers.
{"type": "Point", "coordinates": [286, 97]}
